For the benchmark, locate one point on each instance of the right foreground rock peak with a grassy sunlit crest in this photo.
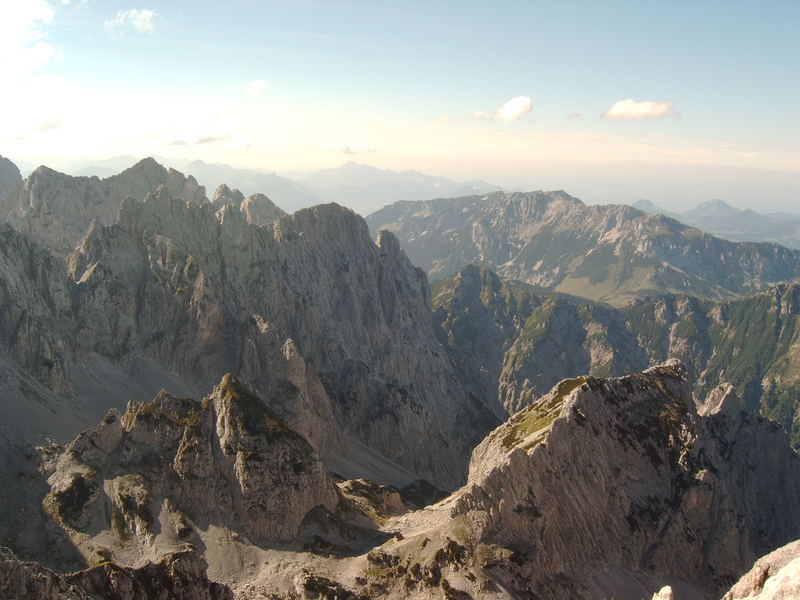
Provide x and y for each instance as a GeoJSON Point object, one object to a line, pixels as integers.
{"type": "Point", "coordinates": [659, 490]}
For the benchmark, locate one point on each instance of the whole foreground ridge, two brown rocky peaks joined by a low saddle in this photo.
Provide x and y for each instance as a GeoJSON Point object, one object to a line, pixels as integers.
{"type": "Point", "coordinates": [602, 488]}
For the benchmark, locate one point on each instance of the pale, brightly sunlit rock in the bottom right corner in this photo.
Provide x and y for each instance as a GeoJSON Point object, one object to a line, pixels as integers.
{"type": "Point", "coordinates": [775, 576]}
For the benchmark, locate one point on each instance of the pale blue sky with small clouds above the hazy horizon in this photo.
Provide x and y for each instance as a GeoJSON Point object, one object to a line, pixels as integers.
{"type": "Point", "coordinates": [676, 102]}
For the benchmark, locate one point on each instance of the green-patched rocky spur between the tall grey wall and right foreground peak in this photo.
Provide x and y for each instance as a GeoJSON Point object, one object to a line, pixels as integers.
{"type": "Point", "coordinates": [514, 343]}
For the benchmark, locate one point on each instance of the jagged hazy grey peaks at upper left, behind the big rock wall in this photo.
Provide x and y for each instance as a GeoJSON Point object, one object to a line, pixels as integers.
{"type": "Point", "coordinates": [56, 209]}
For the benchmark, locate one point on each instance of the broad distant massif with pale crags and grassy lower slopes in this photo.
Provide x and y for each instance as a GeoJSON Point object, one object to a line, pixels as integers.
{"type": "Point", "coordinates": [610, 253]}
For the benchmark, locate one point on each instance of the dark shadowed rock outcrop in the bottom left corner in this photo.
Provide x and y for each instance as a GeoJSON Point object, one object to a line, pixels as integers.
{"type": "Point", "coordinates": [179, 576]}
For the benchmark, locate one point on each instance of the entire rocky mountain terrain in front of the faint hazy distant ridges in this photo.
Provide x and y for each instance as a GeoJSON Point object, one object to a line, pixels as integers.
{"type": "Point", "coordinates": [207, 397]}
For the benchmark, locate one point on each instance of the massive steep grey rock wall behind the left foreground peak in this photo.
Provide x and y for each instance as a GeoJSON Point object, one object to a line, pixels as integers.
{"type": "Point", "coordinates": [308, 308]}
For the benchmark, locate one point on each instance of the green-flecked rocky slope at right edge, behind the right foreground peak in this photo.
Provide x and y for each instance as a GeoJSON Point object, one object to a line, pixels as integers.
{"type": "Point", "coordinates": [751, 342]}
